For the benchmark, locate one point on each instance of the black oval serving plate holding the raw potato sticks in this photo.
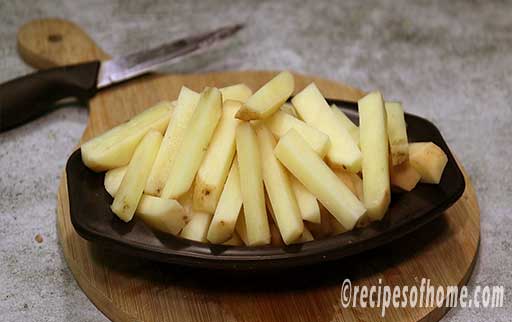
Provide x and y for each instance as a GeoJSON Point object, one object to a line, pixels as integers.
{"type": "Point", "coordinates": [93, 220]}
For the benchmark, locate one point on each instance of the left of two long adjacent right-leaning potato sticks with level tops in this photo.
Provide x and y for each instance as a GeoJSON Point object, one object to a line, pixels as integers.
{"type": "Point", "coordinates": [185, 107]}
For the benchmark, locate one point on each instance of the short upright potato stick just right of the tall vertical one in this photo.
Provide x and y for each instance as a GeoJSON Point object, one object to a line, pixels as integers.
{"type": "Point", "coordinates": [397, 133]}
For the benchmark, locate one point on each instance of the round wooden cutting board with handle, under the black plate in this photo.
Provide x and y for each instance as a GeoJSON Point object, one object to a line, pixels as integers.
{"type": "Point", "coordinates": [130, 289]}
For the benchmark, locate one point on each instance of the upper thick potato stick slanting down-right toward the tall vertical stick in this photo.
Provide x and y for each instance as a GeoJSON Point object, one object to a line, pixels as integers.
{"type": "Point", "coordinates": [314, 110]}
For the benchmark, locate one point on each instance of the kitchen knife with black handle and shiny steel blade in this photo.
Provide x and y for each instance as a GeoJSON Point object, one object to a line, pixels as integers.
{"type": "Point", "coordinates": [28, 97]}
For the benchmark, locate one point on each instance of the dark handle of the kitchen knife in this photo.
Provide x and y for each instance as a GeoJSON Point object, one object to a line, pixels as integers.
{"type": "Point", "coordinates": [28, 97]}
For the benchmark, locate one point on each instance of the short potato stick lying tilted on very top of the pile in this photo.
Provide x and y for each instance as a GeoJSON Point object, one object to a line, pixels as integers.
{"type": "Point", "coordinates": [268, 99]}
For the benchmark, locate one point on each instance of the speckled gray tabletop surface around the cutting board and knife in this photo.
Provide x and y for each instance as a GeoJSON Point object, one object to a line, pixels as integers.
{"type": "Point", "coordinates": [449, 61]}
